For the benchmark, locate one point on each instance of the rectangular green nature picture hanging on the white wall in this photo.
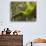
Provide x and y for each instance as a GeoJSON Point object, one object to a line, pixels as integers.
{"type": "Point", "coordinates": [23, 11]}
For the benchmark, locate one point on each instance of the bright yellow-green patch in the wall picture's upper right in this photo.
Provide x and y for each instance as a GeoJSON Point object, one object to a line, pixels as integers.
{"type": "Point", "coordinates": [29, 9]}
